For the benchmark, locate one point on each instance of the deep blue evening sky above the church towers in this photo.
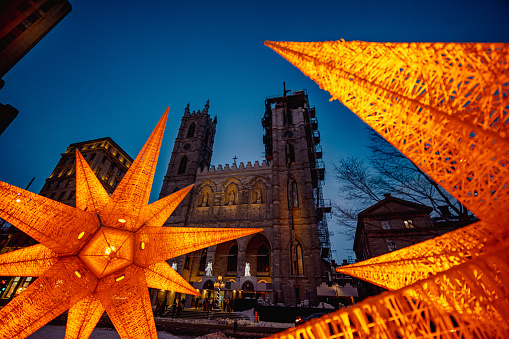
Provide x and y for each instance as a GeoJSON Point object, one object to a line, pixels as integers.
{"type": "Point", "coordinates": [110, 68]}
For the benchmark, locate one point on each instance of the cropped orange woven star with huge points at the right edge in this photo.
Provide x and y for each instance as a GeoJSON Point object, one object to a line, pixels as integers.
{"type": "Point", "coordinates": [445, 107]}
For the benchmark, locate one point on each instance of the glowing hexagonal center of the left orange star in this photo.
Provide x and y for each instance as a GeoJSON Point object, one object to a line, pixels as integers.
{"type": "Point", "coordinates": [108, 251]}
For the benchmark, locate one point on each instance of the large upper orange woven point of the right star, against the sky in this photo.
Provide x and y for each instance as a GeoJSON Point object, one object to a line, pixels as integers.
{"type": "Point", "coordinates": [444, 106]}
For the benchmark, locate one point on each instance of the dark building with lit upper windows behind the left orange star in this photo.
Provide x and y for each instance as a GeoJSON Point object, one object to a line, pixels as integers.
{"type": "Point", "coordinates": [108, 161]}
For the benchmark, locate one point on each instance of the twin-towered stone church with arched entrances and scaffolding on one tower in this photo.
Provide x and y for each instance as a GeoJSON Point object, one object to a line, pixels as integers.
{"type": "Point", "coordinates": [282, 195]}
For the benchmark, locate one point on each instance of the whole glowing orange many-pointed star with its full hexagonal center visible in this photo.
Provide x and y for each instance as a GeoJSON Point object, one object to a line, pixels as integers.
{"type": "Point", "coordinates": [101, 255]}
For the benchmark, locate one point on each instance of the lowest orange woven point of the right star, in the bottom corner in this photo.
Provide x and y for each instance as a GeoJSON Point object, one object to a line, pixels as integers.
{"type": "Point", "coordinates": [468, 301]}
